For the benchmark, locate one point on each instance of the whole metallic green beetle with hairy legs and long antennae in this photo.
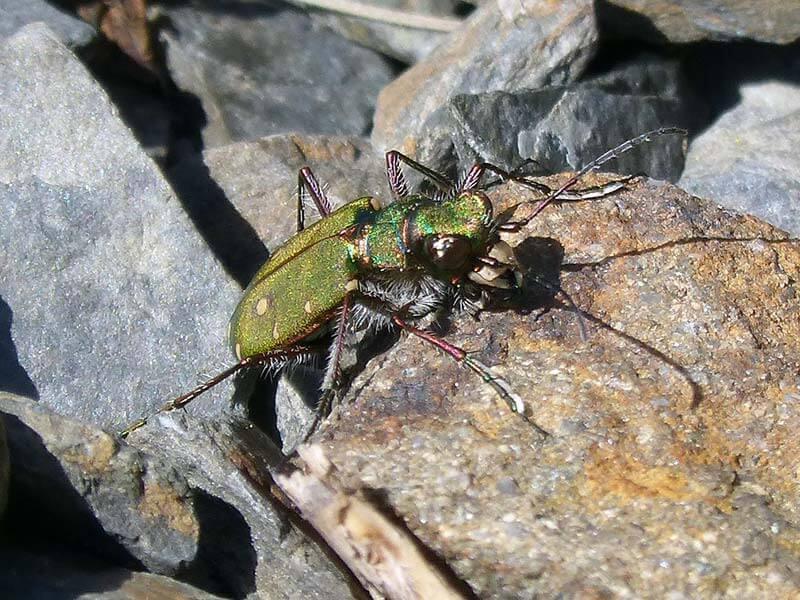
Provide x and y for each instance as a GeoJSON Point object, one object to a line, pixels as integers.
{"type": "Point", "coordinates": [364, 265]}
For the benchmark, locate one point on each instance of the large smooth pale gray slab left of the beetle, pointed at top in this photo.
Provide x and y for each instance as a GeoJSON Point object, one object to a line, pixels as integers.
{"type": "Point", "coordinates": [113, 299]}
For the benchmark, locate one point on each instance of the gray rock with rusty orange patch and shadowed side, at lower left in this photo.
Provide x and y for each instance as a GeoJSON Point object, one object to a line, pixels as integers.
{"type": "Point", "coordinates": [100, 495]}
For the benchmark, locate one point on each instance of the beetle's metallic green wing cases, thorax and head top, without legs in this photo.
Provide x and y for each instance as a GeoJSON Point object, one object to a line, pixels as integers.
{"type": "Point", "coordinates": [305, 281]}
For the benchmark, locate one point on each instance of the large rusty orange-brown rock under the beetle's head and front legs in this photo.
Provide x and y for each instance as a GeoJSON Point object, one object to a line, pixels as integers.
{"type": "Point", "coordinates": [671, 464]}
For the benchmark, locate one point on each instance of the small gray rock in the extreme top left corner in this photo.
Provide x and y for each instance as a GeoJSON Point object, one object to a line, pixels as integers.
{"type": "Point", "coordinates": [71, 30]}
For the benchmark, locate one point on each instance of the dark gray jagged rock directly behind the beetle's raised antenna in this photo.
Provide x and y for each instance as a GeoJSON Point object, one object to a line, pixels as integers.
{"type": "Point", "coordinates": [563, 128]}
